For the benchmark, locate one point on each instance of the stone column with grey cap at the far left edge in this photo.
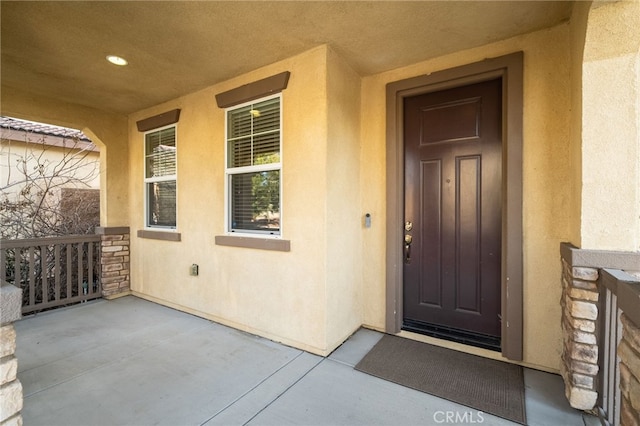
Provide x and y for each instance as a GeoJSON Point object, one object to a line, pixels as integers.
{"type": "Point", "coordinates": [11, 398]}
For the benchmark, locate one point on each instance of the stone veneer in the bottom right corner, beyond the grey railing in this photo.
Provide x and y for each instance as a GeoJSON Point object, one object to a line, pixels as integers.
{"type": "Point", "coordinates": [629, 353]}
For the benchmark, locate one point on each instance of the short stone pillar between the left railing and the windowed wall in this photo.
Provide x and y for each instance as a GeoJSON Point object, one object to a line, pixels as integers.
{"type": "Point", "coordinates": [115, 261]}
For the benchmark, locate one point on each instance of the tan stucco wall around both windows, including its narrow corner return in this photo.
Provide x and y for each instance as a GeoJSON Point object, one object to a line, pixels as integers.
{"type": "Point", "coordinates": [306, 297]}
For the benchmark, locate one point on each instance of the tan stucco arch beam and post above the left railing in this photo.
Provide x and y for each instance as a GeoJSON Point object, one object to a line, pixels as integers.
{"type": "Point", "coordinates": [108, 131]}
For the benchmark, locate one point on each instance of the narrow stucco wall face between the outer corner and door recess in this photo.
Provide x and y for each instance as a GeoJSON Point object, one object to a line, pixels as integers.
{"type": "Point", "coordinates": [345, 225]}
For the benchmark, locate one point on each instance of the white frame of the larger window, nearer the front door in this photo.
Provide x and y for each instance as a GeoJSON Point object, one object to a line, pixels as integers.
{"type": "Point", "coordinates": [230, 171]}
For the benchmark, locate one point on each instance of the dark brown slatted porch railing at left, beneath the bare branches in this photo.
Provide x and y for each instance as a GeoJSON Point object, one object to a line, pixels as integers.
{"type": "Point", "coordinates": [52, 271]}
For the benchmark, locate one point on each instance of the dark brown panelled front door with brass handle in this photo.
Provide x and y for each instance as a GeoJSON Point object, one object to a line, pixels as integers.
{"type": "Point", "coordinates": [453, 217]}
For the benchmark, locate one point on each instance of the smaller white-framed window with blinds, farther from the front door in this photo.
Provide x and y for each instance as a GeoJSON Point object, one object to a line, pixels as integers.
{"type": "Point", "coordinates": [160, 177]}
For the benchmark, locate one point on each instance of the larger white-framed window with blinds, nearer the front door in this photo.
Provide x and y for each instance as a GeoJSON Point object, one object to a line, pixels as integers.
{"type": "Point", "coordinates": [253, 167]}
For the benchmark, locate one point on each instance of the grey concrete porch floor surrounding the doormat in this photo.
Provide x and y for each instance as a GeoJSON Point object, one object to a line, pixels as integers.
{"type": "Point", "coordinates": [132, 362]}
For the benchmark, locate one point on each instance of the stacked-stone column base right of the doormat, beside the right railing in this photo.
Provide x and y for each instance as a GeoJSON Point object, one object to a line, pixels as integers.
{"type": "Point", "coordinates": [579, 366]}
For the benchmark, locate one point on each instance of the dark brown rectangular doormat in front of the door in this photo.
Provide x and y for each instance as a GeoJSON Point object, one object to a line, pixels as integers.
{"type": "Point", "coordinates": [491, 386]}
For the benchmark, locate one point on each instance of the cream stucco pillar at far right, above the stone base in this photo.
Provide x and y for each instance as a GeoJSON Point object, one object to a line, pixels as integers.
{"type": "Point", "coordinates": [611, 128]}
